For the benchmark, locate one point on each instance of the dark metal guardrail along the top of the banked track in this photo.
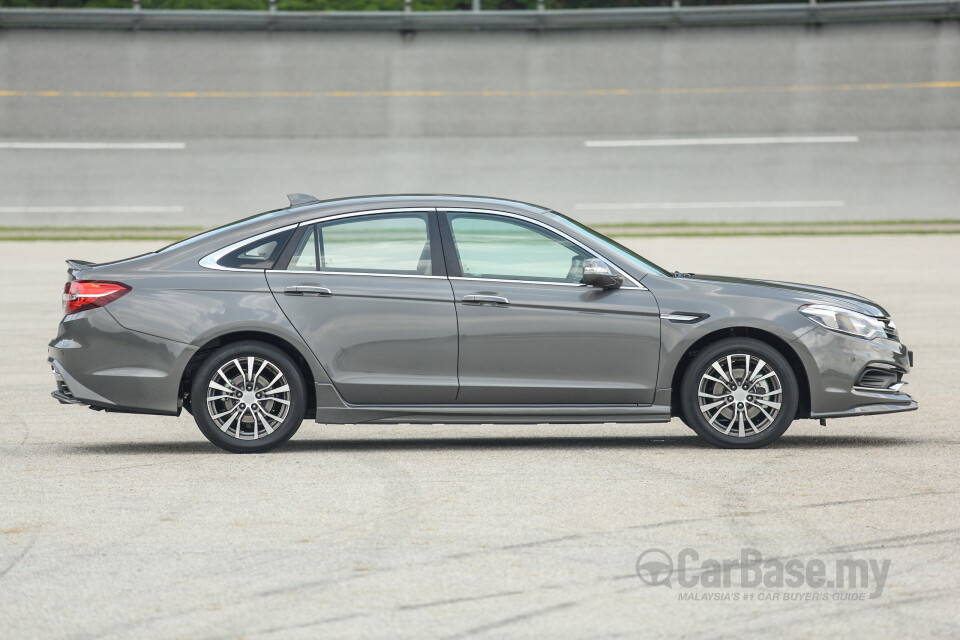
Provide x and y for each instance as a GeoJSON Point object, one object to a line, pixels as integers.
{"type": "Point", "coordinates": [675, 15]}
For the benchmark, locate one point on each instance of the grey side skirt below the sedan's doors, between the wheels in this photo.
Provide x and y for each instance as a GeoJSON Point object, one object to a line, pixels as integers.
{"type": "Point", "coordinates": [331, 409]}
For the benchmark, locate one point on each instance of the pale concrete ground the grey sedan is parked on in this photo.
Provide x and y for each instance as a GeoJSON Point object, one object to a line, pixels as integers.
{"type": "Point", "coordinates": [117, 526]}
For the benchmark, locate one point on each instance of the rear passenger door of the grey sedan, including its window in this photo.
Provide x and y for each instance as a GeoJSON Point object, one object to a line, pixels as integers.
{"type": "Point", "coordinates": [369, 295]}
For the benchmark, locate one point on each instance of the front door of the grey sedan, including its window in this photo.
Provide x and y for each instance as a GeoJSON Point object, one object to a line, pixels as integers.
{"type": "Point", "coordinates": [531, 332]}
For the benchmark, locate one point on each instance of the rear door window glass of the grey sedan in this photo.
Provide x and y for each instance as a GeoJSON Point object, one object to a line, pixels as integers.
{"type": "Point", "coordinates": [386, 243]}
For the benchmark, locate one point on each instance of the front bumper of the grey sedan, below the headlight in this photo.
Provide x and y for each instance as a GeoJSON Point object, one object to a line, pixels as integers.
{"type": "Point", "coordinates": [839, 368]}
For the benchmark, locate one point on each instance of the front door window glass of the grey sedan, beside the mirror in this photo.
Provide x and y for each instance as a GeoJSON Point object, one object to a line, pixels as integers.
{"type": "Point", "coordinates": [503, 248]}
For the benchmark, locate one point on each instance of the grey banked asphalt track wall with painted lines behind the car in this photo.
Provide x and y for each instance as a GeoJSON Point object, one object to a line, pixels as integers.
{"type": "Point", "coordinates": [857, 122]}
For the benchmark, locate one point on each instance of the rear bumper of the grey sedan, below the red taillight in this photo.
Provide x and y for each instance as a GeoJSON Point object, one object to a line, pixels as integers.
{"type": "Point", "coordinates": [98, 363]}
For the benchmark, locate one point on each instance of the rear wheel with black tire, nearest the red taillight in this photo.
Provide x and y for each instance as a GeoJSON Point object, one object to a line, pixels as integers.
{"type": "Point", "coordinates": [248, 414]}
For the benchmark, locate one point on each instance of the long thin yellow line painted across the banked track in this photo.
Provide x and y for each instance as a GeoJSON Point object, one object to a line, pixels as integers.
{"type": "Point", "coordinates": [884, 86]}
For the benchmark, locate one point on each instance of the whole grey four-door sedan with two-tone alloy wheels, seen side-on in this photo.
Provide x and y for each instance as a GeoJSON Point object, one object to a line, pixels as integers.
{"type": "Point", "coordinates": [454, 309]}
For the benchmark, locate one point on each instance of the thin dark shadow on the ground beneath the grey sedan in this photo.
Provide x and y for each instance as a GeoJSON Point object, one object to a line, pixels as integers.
{"type": "Point", "coordinates": [651, 442]}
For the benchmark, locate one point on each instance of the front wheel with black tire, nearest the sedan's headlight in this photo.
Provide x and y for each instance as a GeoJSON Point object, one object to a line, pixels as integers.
{"type": "Point", "coordinates": [739, 393]}
